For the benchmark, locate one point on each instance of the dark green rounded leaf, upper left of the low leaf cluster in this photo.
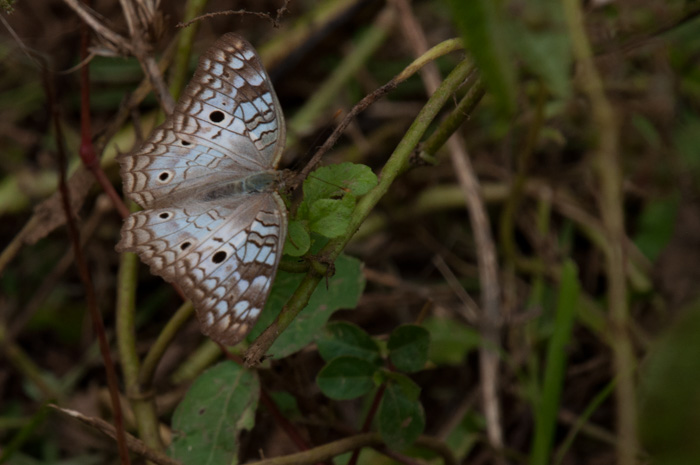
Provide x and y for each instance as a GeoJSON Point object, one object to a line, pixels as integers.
{"type": "Point", "coordinates": [340, 338]}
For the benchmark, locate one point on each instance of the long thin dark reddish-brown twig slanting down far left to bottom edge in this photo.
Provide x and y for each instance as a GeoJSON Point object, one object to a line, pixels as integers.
{"type": "Point", "coordinates": [84, 271]}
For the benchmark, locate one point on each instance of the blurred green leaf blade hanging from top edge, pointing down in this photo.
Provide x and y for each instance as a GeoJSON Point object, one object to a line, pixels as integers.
{"type": "Point", "coordinates": [484, 30]}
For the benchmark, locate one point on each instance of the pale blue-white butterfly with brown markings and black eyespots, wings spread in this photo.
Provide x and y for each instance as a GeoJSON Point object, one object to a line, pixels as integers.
{"type": "Point", "coordinates": [212, 220]}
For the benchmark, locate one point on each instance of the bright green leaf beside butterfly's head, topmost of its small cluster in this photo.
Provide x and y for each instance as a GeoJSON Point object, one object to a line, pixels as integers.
{"type": "Point", "coordinates": [335, 181]}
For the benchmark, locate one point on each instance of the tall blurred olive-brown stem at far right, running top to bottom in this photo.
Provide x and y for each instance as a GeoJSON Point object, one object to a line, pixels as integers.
{"type": "Point", "coordinates": [607, 165]}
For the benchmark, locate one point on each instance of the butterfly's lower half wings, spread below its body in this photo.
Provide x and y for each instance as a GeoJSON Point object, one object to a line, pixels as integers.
{"type": "Point", "coordinates": [224, 257]}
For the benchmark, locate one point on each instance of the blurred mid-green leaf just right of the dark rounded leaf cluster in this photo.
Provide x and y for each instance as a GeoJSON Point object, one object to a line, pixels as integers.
{"type": "Point", "coordinates": [450, 340]}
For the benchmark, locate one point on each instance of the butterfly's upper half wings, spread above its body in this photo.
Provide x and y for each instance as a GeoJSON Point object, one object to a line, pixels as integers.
{"type": "Point", "coordinates": [227, 124]}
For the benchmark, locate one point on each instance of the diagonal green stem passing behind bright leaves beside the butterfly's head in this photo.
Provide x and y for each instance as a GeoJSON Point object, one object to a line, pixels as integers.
{"type": "Point", "coordinates": [397, 163]}
